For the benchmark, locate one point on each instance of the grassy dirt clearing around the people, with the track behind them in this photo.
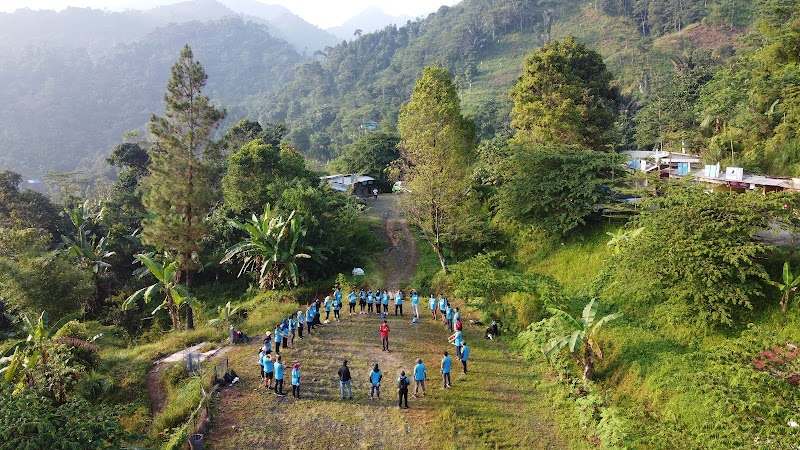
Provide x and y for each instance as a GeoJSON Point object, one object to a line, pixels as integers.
{"type": "Point", "coordinates": [495, 405]}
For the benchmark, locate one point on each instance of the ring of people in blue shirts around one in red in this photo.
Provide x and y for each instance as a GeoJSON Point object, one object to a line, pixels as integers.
{"type": "Point", "coordinates": [284, 333]}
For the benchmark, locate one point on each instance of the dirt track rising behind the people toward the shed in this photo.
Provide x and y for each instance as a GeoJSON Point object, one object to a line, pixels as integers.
{"type": "Point", "coordinates": [400, 258]}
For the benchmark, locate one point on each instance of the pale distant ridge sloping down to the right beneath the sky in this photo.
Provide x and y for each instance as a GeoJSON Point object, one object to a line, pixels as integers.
{"type": "Point", "coordinates": [282, 23]}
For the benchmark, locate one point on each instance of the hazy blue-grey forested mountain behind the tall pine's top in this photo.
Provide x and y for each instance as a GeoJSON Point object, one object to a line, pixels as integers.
{"type": "Point", "coordinates": [64, 109]}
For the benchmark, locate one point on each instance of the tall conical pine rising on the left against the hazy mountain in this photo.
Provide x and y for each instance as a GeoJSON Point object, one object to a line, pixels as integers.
{"type": "Point", "coordinates": [183, 181]}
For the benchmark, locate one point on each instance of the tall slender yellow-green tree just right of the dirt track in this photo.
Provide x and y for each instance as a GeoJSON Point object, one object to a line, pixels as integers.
{"type": "Point", "coordinates": [437, 148]}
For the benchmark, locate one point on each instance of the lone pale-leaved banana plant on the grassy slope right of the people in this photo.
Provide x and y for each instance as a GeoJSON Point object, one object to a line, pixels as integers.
{"type": "Point", "coordinates": [582, 336]}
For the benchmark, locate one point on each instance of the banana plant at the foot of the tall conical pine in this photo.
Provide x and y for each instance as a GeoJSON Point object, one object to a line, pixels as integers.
{"type": "Point", "coordinates": [166, 274]}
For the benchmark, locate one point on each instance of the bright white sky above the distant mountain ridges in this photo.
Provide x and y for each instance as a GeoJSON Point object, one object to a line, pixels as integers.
{"type": "Point", "coordinates": [323, 13]}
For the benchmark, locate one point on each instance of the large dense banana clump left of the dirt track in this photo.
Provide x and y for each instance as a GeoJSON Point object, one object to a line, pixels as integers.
{"type": "Point", "coordinates": [271, 248]}
